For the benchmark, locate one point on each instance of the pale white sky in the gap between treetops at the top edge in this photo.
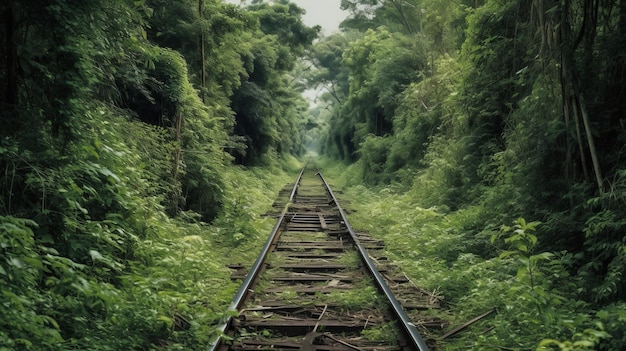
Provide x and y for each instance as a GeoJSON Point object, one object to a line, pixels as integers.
{"type": "Point", "coordinates": [326, 13]}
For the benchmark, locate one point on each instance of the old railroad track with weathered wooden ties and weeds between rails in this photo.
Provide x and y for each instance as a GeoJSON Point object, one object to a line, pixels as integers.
{"type": "Point", "coordinates": [315, 286]}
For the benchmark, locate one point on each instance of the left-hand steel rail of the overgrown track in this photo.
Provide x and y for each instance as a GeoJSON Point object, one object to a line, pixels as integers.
{"type": "Point", "coordinates": [256, 267]}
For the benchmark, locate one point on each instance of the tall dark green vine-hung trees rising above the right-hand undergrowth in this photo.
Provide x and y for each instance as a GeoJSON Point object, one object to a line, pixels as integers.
{"type": "Point", "coordinates": [493, 110]}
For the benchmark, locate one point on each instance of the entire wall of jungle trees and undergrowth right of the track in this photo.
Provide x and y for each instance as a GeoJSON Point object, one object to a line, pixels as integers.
{"type": "Point", "coordinates": [485, 142]}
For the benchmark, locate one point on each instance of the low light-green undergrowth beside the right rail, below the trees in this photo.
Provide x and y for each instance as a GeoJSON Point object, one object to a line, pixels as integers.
{"type": "Point", "coordinates": [535, 296]}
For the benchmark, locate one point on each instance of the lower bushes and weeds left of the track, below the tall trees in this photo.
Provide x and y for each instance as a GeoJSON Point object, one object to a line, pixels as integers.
{"type": "Point", "coordinates": [102, 266]}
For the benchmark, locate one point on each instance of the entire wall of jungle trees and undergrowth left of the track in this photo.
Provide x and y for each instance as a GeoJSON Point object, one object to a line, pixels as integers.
{"type": "Point", "coordinates": [127, 127]}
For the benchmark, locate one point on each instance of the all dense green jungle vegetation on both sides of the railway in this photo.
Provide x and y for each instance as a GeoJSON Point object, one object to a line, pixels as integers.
{"type": "Point", "coordinates": [142, 140]}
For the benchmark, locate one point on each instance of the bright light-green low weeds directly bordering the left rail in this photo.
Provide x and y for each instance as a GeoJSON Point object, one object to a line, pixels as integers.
{"type": "Point", "coordinates": [189, 266]}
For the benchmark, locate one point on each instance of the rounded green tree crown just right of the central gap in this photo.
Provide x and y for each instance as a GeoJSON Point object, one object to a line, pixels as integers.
{"type": "Point", "coordinates": [376, 68]}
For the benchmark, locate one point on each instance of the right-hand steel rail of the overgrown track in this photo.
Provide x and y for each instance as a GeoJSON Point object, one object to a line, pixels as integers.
{"type": "Point", "coordinates": [407, 325]}
